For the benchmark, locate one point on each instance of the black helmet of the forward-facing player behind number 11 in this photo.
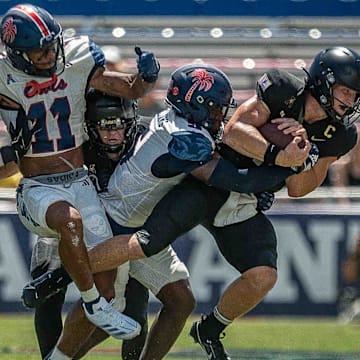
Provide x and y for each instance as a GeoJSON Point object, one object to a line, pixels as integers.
{"type": "Point", "coordinates": [110, 113]}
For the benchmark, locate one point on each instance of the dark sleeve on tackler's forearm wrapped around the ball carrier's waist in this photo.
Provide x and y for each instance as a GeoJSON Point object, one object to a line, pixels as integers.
{"type": "Point", "coordinates": [227, 177]}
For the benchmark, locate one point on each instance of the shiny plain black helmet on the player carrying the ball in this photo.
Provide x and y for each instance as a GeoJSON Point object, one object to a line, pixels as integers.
{"type": "Point", "coordinates": [336, 65]}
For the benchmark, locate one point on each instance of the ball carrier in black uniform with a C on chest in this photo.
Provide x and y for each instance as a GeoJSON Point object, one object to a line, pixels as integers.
{"type": "Point", "coordinates": [325, 103]}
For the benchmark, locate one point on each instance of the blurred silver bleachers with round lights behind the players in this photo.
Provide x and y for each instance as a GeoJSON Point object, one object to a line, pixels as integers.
{"type": "Point", "coordinates": [242, 46]}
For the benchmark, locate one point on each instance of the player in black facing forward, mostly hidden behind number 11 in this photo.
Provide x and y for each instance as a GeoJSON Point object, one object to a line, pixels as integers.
{"type": "Point", "coordinates": [112, 124]}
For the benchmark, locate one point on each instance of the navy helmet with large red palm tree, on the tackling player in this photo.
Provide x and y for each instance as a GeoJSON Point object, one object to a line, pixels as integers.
{"type": "Point", "coordinates": [201, 93]}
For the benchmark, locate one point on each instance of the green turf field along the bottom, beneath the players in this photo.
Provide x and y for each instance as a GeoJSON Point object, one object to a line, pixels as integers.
{"type": "Point", "coordinates": [249, 338]}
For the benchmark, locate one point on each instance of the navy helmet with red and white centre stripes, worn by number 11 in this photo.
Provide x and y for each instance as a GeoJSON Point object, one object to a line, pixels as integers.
{"type": "Point", "coordinates": [27, 27]}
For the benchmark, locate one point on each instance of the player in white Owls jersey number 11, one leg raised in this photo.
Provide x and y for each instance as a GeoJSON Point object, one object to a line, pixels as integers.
{"type": "Point", "coordinates": [46, 78]}
